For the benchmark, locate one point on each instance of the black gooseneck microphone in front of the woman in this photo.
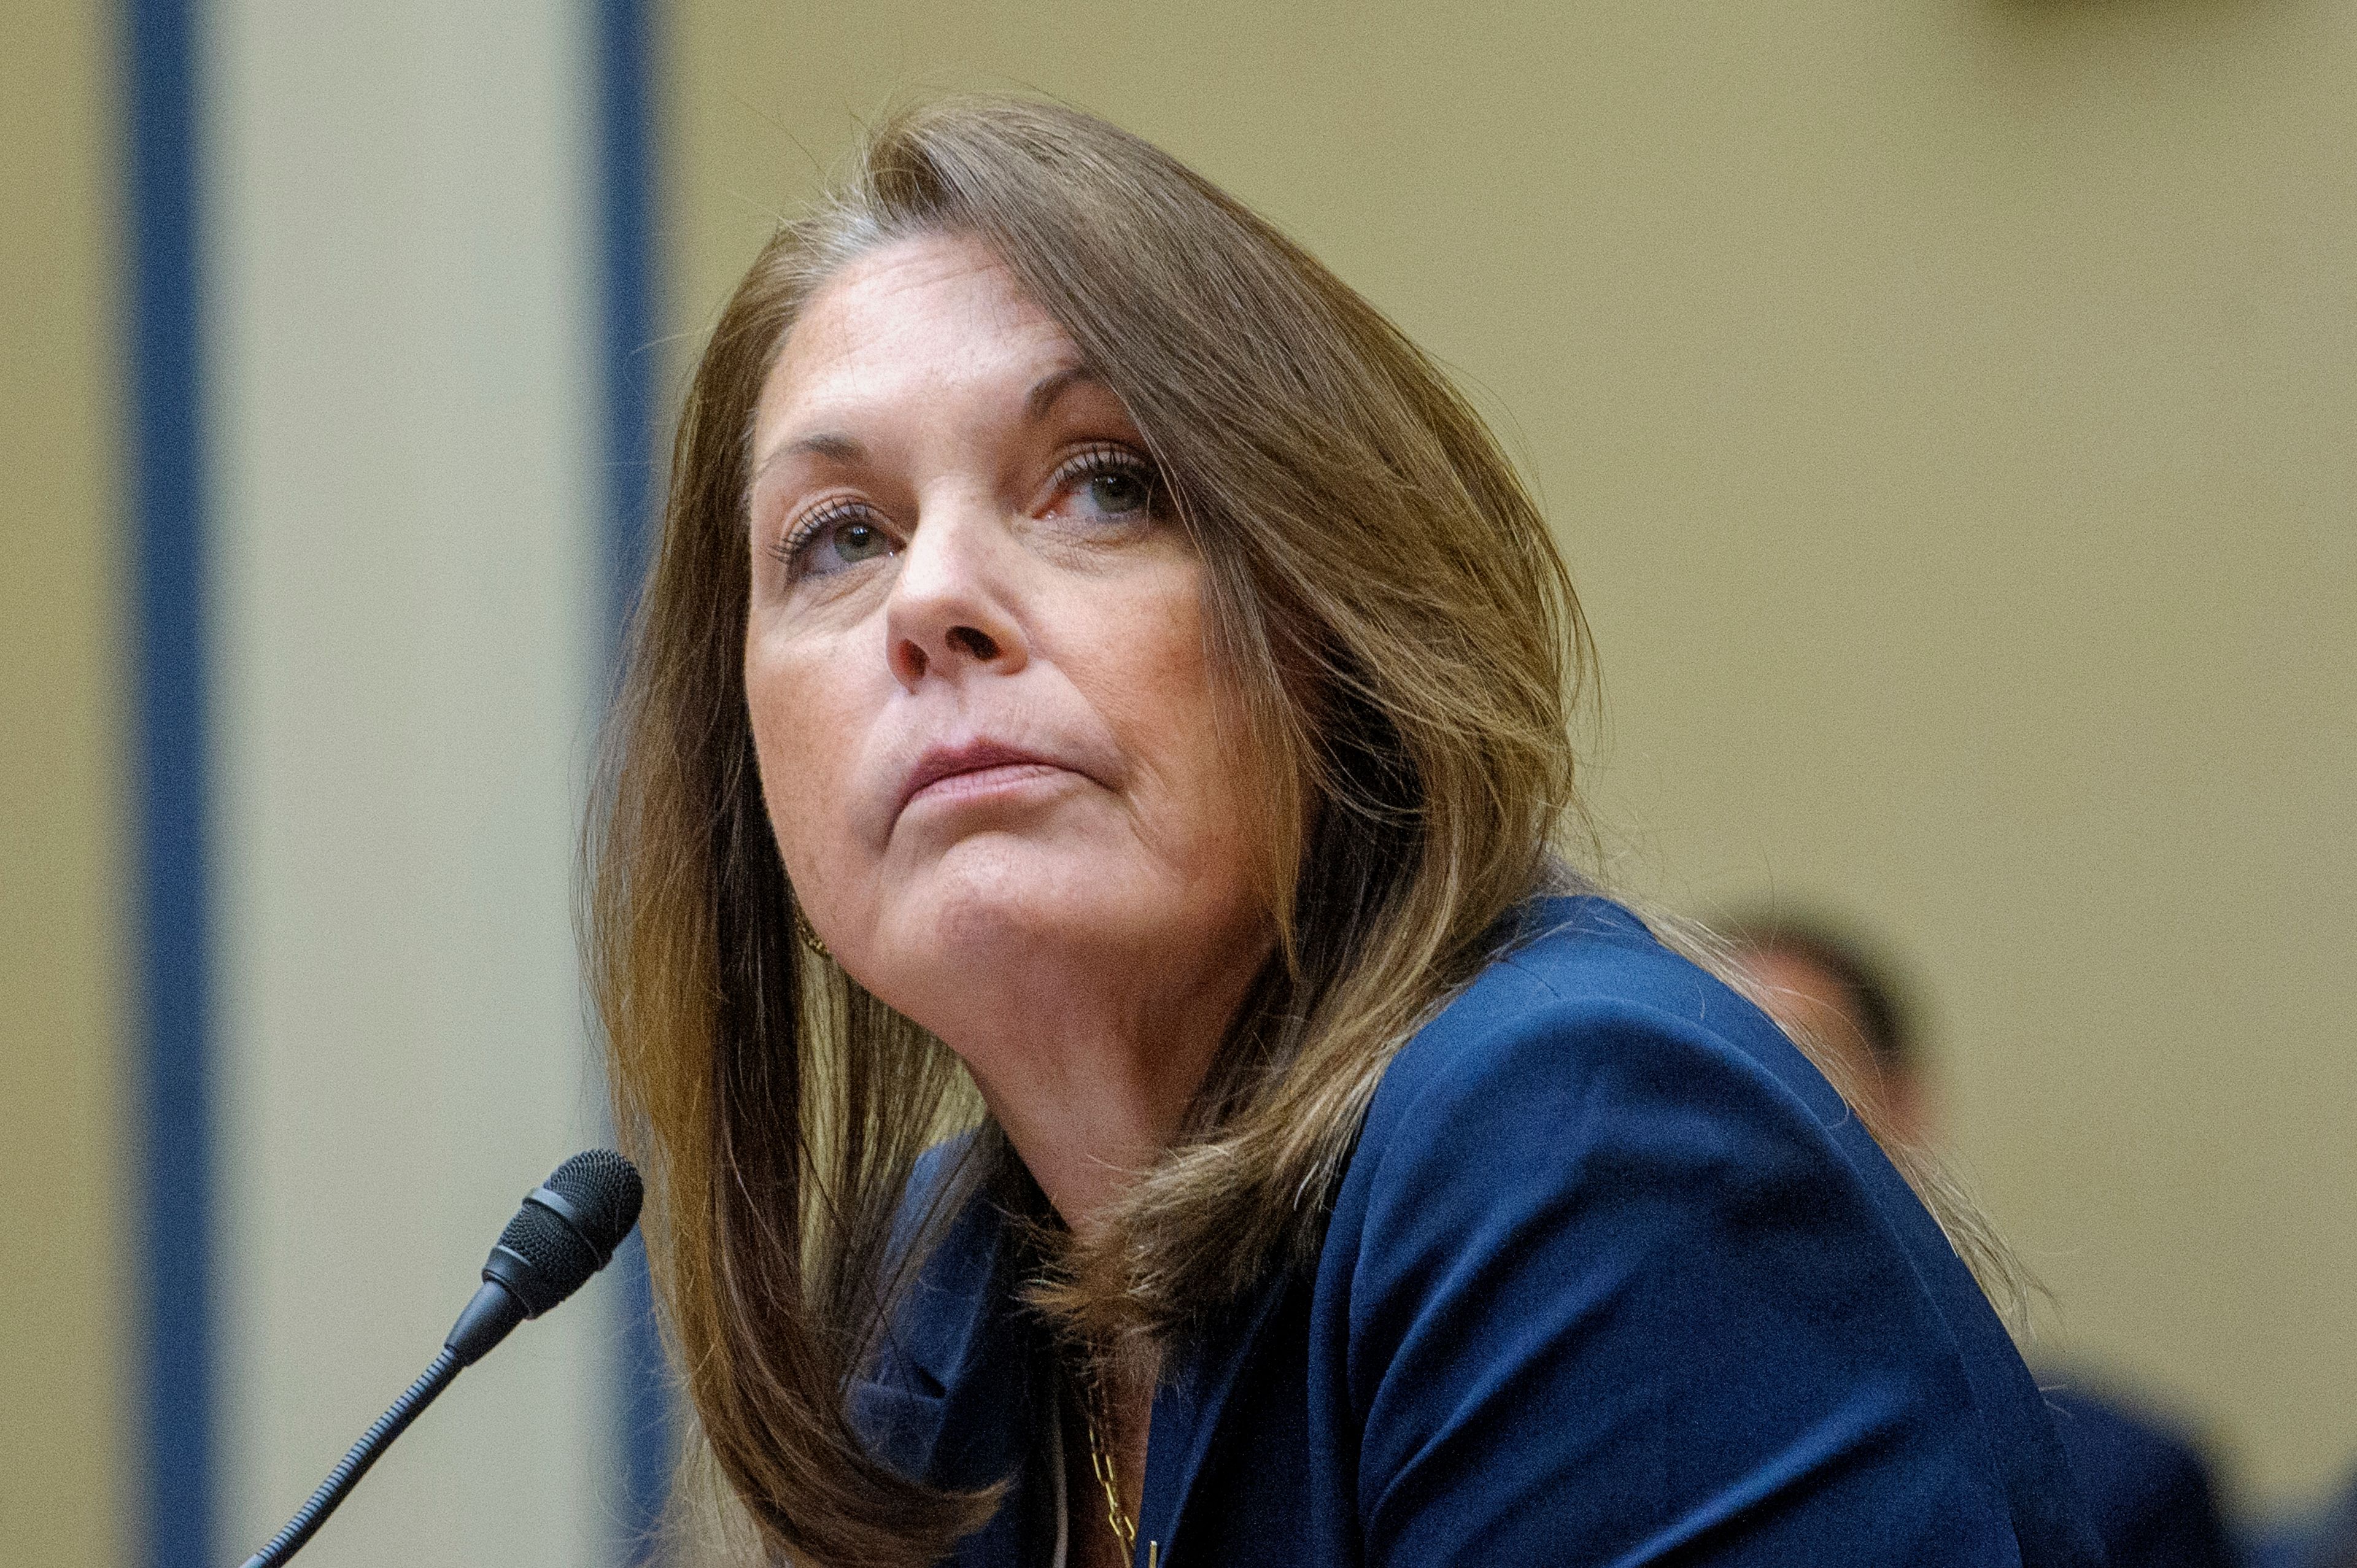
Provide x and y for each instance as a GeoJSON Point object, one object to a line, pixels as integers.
{"type": "Point", "coordinates": [565, 1232]}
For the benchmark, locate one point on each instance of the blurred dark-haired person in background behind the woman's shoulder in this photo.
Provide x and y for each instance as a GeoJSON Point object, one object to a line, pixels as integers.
{"type": "Point", "coordinates": [2148, 1489]}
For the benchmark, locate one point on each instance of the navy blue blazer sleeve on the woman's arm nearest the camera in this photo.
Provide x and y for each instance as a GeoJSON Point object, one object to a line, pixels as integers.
{"type": "Point", "coordinates": [1620, 1296]}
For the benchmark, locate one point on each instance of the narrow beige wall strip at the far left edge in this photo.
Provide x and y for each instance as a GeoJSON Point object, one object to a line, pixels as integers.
{"type": "Point", "coordinates": [60, 810]}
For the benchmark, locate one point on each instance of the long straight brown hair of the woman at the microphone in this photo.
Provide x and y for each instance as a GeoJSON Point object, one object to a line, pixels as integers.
{"type": "Point", "coordinates": [1404, 654]}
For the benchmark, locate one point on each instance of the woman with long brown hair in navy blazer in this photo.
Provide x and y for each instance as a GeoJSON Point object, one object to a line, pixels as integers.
{"type": "Point", "coordinates": [1081, 923]}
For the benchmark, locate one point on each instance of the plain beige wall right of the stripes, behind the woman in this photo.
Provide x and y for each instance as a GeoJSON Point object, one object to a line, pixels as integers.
{"type": "Point", "coordinates": [1948, 411]}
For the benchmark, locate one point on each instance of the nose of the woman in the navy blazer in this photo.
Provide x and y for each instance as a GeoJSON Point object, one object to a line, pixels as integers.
{"type": "Point", "coordinates": [949, 612]}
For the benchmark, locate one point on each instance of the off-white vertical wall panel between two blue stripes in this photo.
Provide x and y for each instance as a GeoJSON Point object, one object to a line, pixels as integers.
{"type": "Point", "coordinates": [404, 310]}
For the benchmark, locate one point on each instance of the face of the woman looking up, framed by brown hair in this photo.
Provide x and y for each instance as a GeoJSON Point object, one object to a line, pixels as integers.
{"type": "Point", "coordinates": [975, 659]}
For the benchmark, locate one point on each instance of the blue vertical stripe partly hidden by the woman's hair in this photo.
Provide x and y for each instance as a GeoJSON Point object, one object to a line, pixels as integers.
{"type": "Point", "coordinates": [626, 51]}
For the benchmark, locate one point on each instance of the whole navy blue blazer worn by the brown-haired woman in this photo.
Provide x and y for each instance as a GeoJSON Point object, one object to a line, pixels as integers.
{"type": "Point", "coordinates": [1613, 1279]}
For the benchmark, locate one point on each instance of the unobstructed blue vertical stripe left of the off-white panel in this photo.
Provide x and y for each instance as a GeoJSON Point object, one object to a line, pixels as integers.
{"type": "Point", "coordinates": [173, 921]}
